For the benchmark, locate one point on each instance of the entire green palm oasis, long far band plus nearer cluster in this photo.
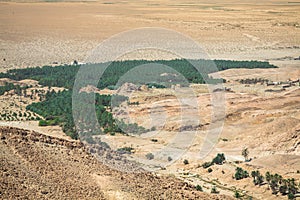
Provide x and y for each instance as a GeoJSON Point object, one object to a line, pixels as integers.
{"type": "Point", "coordinates": [56, 107]}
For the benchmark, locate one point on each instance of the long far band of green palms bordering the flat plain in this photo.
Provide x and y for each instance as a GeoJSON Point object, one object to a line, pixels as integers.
{"type": "Point", "coordinates": [64, 76]}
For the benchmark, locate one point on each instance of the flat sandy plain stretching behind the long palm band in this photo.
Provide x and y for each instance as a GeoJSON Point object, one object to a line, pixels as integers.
{"type": "Point", "coordinates": [42, 33]}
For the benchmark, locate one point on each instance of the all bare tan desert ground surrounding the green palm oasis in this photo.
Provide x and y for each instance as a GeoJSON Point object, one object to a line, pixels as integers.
{"type": "Point", "coordinates": [42, 162]}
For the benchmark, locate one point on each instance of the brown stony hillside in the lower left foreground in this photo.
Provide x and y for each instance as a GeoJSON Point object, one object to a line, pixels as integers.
{"type": "Point", "coordinates": [35, 166]}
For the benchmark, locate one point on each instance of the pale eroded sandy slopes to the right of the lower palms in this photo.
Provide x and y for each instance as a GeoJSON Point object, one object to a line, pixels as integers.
{"type": "Point", "coordinates": [267, 124]}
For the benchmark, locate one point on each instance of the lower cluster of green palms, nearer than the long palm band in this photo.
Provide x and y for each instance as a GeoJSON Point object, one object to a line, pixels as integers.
{"type": "Point", "coordinates": [57, 110]}
